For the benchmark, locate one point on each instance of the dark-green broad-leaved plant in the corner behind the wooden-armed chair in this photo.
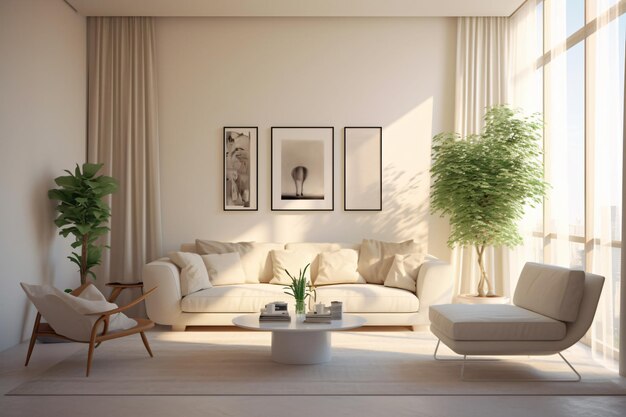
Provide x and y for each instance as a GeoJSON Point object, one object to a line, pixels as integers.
{"type": "Point", "coordinates": [83, 214]}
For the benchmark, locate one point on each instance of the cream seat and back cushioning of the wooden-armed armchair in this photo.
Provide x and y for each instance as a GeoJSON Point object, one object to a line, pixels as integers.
{"type": "Point", "coordinates": [69, 315]}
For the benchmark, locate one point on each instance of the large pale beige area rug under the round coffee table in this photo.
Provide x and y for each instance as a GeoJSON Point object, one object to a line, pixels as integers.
{"type": "Point", "coordinates": [363, 363]}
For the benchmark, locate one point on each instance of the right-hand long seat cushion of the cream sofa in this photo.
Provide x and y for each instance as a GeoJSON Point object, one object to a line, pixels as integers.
{"type": "Point", "coordinates": [368, 298]}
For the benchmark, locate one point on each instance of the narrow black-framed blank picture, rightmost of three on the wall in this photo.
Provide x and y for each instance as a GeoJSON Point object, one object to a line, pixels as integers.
{"type": "Point", "coordinates": [363, 168]}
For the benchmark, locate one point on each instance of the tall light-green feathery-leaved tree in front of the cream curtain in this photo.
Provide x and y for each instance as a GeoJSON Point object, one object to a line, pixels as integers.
{"type": "Point", "coordinates": [483, 183]}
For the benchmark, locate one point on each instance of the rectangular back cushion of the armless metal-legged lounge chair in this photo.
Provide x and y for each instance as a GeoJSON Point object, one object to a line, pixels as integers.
{"type": "Point", "coordinates": [550, 290]}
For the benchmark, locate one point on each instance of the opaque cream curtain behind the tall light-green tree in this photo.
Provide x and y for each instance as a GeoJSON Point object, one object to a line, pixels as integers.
{"type": "Point", "coordinates": [481, 81]}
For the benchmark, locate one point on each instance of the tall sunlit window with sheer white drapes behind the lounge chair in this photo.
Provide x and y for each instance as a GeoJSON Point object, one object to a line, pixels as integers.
{"type": "Point", "coordinates": [580, 77]}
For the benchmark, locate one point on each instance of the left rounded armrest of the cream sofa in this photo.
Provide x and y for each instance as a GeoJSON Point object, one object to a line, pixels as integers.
{"type": "Point", "coordinates": [163, 307]}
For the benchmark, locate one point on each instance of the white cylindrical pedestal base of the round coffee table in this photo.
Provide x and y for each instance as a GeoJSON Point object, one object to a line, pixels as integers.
{"type": "Point", "coordinates": [301, 348]}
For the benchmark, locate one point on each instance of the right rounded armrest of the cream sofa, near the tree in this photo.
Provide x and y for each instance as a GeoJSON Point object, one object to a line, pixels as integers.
{"type": "Point", "coordinates": [434, 284]}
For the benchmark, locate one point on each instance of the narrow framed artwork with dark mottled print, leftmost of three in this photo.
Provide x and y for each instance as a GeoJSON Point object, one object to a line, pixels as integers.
{"type": "Point", "coordinates": [241, 161]}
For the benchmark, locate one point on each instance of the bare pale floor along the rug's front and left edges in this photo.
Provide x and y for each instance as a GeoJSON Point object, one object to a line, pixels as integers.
{"type": "Point", "coordinates": [13, 373]}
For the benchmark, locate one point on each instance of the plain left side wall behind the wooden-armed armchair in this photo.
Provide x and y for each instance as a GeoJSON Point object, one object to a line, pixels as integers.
{"type": "Point", "coordinates": [42, 131]}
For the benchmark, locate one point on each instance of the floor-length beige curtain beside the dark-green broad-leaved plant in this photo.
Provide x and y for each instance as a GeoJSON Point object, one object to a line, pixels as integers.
{"type": "Point", "coordinates": [123, 134]}
